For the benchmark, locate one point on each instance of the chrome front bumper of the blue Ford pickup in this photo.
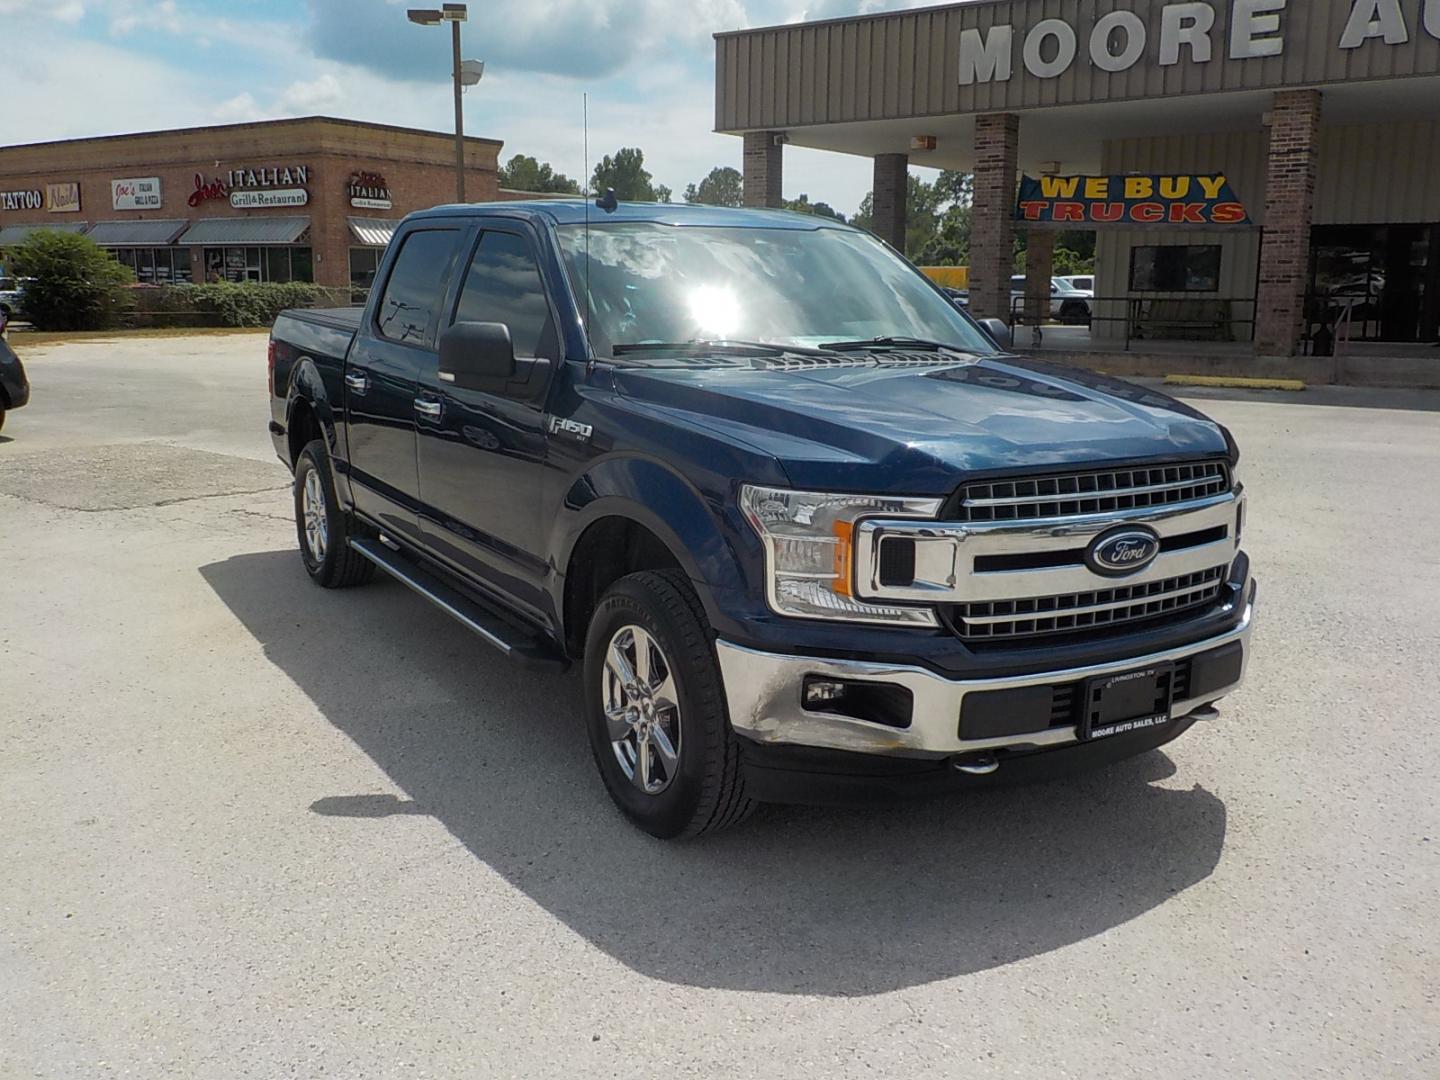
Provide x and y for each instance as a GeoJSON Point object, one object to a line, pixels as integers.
{"type": "Point", "coordinates": [765, 689]}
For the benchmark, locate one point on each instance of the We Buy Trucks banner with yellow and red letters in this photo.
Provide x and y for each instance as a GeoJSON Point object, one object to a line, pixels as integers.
{"type": "Point", "coordinates": [1085, 201]}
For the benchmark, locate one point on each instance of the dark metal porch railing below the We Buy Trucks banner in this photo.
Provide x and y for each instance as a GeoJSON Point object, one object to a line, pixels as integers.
{"type": "Point", "coordinates": [1216, 319]}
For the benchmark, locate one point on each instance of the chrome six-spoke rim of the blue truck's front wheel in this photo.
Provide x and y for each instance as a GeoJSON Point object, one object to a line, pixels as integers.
{"type": "Point", "coordinates": [642, 711]}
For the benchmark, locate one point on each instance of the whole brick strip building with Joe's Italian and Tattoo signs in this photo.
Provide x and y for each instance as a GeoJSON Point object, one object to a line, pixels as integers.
{"type": "Point", "coordinates": [310, 199]}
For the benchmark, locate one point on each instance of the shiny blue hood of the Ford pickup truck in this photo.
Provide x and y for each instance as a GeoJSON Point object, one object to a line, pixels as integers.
{"type": "Point", "coordinates": [917, 423]}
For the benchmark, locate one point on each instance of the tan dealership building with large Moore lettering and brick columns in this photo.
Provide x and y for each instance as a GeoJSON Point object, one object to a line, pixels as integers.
{"type": "Point", "coordinates": [1256, 172]}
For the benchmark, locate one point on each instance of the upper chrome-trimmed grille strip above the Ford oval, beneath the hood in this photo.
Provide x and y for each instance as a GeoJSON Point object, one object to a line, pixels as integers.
{"type": "Point", "coordinates": [1102, 492]}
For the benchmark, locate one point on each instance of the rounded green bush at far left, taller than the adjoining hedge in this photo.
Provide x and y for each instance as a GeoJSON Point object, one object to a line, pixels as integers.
{"type": "Point", "coordinates": [76, 284]}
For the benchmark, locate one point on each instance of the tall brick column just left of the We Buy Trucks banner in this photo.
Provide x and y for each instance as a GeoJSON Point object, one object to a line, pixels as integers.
{"type": "Point", "coordinates": [993, 225]}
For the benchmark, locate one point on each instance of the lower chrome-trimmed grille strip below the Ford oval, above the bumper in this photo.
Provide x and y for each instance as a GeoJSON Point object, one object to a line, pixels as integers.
{"type": "Point", "coordinates": [1085, 611]}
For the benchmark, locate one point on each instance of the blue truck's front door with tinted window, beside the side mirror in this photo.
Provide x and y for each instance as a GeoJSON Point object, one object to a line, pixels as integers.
{"type": "Point", "coordinates": [483, 457]}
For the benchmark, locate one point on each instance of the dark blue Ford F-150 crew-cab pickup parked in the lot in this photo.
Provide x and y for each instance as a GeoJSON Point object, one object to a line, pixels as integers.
{"type": "Point", "coordinates": [810, 532]}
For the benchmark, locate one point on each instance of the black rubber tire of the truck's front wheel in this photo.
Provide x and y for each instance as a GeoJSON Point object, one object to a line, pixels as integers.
{"type": "Point", "coordinates": [708, 790]}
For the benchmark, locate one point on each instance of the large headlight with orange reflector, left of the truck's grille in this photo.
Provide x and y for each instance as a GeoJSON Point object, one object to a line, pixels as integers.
{"type": "Point", "coordinates": [810, 552]}
